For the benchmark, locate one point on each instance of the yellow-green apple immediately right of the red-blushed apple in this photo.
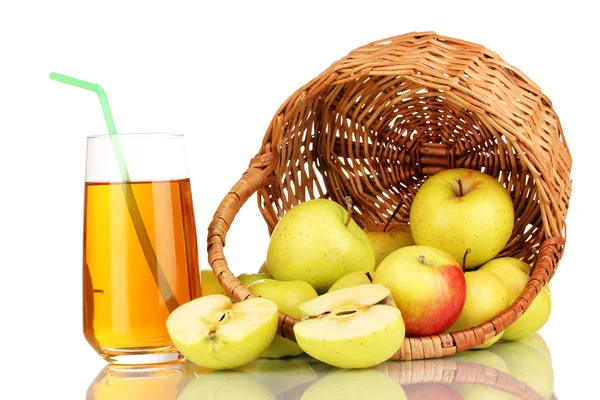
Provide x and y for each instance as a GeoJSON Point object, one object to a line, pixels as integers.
{"type": "Point", "coordinates": [486, 298]}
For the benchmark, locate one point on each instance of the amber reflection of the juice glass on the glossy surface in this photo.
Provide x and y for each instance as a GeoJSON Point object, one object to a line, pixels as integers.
{"type": "Point", "coordinates": [163, 382]}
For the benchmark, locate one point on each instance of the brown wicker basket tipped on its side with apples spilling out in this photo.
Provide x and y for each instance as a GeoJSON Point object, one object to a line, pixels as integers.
{"type": "Point", "coordinates": [378, 122]}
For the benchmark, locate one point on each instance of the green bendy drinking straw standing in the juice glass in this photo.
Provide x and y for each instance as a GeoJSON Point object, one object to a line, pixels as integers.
{"type": "Point", "coordinates": [134, 210]}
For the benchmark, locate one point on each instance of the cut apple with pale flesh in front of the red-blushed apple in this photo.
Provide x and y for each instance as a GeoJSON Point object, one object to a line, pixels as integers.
{"type": "Point", "coordinates": [350, 327]}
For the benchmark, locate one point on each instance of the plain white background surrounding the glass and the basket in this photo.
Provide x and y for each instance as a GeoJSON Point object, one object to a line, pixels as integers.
{"type": "Point", "coordinates": [217, 72]}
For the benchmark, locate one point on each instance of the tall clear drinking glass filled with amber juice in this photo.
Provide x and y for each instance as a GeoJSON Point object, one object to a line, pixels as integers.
{"type": "Point", "coordinates": [140, 255]}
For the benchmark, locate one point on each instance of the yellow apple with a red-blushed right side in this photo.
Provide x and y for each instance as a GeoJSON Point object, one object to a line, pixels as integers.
{"type": "Point", "coordinates": [428, 286]}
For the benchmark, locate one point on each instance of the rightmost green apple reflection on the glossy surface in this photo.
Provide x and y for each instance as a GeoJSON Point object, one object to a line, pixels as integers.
{"type": "Point", "coordinates": [527, 364]}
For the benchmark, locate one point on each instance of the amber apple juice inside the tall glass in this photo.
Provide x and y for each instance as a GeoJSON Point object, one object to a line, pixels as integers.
{"type": "Point", "coordinates": [130, 285]}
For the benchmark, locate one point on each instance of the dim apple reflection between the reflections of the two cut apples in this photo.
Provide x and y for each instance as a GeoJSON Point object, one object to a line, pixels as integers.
{"type": "Point", "coordinates": [281, 375]}
